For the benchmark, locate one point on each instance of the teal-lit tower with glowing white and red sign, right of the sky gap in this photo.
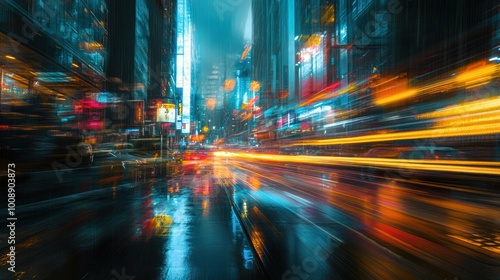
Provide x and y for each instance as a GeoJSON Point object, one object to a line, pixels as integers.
{"type": "Point", "coordinates": [293, 59]}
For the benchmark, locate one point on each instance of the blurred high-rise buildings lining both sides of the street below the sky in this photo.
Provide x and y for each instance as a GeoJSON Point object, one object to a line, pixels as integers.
{"type": "Point", "coordinates": [310, 67]}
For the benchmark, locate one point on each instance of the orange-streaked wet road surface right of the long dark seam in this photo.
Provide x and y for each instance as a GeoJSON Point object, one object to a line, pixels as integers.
{"type": "Point", "coordinates": [381, 229]}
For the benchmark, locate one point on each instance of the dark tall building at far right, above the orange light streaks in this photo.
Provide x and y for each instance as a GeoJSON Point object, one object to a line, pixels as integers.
{"type": "Point", "coordinates": [415, 41]}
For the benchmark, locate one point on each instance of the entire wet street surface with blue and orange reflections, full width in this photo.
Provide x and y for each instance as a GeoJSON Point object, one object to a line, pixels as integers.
{"type": "Point", "coordinates": [242, 220]}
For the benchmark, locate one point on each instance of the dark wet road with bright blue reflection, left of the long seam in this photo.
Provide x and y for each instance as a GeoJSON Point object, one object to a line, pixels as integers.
{"type": "Point", "coordinates": [158, 229]}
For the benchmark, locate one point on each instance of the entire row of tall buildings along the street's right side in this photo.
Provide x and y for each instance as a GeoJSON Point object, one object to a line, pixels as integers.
{"type": "Point", "coordinates": [317, 57]}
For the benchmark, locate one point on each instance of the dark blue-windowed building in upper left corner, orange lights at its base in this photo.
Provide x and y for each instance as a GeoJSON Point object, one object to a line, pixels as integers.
{"type": "Point", "coordinates": [52, 48]}
